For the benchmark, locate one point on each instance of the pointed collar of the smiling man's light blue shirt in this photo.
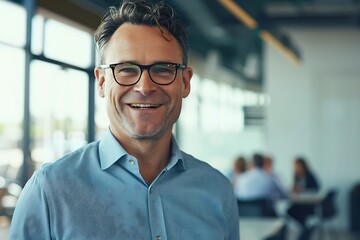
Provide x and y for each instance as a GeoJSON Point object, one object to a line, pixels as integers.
{"type": "Point", "coordinates": [110, 151]}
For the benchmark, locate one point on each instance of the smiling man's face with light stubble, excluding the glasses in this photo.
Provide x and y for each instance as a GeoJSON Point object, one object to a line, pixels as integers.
{"type": "Point", "coordinates": [144, 110]}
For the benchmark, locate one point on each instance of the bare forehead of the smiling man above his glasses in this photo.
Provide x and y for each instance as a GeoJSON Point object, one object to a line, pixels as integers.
{"type": "Point", "coordinates": [142, 44]}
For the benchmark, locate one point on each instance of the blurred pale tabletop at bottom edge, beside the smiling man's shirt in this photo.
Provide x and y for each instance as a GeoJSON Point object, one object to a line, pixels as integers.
{"type": "Point", "coordinates": [260, 228]}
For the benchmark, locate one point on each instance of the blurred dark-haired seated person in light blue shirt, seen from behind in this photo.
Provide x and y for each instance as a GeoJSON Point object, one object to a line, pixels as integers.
{"type": "Point", "coordinates": [258, 184]}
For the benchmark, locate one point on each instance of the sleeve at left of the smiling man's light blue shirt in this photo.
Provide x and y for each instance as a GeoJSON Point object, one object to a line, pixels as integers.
{"type": "Point", "coordinates": [31, 216]}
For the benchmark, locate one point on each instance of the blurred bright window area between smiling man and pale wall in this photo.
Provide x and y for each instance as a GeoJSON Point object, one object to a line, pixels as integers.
{"type": "Point", "coordinates": [212, 122]}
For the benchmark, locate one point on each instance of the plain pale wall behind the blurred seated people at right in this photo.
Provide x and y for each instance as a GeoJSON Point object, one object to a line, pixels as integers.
{"type": "Point", "coordinates": [315, 108]}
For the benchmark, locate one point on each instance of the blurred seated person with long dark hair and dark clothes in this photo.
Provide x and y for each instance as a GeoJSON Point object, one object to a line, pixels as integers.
{"type": "Point", "coordinates": [304, 181]}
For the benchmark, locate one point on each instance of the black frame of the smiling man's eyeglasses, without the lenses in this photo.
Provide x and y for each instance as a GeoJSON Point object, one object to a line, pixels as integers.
{"type": "Point", "coordinates": [142, 68]}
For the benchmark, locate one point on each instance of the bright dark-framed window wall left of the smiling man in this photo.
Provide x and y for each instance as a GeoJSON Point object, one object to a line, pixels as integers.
{"type": "Point", "coordinates": [59, 94]}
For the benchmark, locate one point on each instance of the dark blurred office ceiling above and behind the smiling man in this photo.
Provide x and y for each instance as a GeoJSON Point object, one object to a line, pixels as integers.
{"type": "Point", "coordinates": [212, 26]}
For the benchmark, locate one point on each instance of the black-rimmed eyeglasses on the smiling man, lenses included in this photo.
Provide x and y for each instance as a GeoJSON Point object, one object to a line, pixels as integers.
{"type": "Point", "coordinates": [127, 74]}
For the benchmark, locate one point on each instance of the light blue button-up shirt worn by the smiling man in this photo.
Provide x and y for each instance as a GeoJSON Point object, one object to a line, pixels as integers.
{"type": "Point", "coordinates": [97, 192]}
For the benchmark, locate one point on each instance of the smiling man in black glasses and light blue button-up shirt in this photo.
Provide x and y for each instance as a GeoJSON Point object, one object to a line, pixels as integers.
{"type": "Point", "coordinates": [135, 183]}
